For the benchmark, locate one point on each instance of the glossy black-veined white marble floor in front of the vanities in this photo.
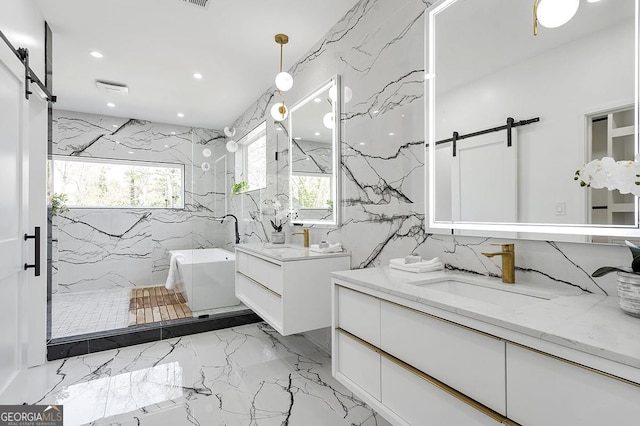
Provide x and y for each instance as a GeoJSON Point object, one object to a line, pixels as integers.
{"type": "Point", "coordinates": [248, 375]}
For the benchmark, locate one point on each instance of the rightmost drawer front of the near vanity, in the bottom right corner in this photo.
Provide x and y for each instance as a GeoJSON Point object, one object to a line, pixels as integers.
{"type": "Point", "coordinates": [544, 390]}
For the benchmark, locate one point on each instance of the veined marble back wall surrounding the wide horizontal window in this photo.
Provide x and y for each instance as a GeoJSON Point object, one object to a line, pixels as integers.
{"type": "Point", "coordinates": [126, 247]}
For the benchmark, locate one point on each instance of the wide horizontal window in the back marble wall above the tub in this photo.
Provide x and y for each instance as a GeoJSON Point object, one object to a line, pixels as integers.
{"type": "Point", "coordinates": [118, 183]}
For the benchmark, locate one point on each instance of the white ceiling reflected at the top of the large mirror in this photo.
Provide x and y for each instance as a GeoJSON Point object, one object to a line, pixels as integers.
{"type": "Point", "coordinates": [471, 41]}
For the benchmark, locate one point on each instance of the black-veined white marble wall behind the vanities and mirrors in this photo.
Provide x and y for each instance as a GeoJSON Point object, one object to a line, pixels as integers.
{"type": "Point", "coordinates": [378, 49]}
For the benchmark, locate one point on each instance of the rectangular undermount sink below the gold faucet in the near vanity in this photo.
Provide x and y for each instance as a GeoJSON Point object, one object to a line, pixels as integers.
{"type": "Point", "coordinates": [495, 296]}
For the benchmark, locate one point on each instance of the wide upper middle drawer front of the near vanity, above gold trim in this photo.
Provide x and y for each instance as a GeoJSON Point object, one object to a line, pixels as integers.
{"type": "Point", "coordinates": [468, 361]}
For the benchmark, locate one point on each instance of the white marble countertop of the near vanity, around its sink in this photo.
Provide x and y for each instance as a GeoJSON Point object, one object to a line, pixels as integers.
{"type": "Point", "coordinates": [586, 322]}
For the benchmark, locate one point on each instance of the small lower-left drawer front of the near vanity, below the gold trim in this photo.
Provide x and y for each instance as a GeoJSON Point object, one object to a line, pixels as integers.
{"type": "Point", "coordinates": [358, 363]}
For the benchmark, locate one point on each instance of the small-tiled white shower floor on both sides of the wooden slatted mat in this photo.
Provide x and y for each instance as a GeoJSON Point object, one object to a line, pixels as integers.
{"type": "Point", "coordinates": [100, 310]}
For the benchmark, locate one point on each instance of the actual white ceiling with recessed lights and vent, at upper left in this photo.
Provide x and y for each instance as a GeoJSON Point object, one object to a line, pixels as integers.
{"type": "Point", "coordinates": [155, 46]}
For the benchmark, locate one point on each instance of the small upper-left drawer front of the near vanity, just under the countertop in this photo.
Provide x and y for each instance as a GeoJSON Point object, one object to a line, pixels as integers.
{"type": "Point", "coordinates": [359, 314]}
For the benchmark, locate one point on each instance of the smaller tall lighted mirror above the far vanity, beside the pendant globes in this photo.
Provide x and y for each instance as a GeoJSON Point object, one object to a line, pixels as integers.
{"type": "Point", "coordinates": [314, 153]}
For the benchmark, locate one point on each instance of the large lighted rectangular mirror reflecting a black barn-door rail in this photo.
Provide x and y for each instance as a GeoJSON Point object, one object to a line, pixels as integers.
{"type": "Point", "coordinates": [512, 116]}
